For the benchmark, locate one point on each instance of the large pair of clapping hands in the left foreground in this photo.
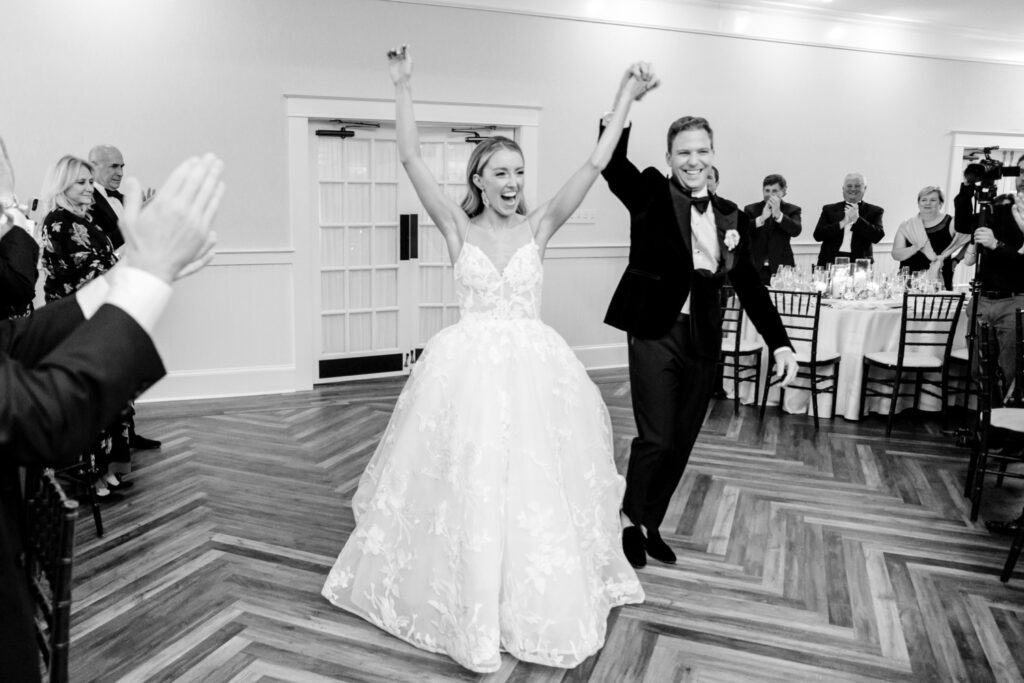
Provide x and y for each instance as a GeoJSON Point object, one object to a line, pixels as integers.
{"type": "Point", "coordinates": [172, 237]}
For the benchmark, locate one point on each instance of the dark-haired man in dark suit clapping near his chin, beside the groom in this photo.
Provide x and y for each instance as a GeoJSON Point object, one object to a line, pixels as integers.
{"type": "Point", "coordinates": [776, 223]}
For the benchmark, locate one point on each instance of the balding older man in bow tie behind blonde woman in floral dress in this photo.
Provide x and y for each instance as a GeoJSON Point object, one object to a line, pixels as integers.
{"type": "Point", "coordinates": [107, 211]}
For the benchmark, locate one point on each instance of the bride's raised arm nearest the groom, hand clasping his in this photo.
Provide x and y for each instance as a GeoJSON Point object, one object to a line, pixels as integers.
{"type": "Point", "coordinates": [548, 219]}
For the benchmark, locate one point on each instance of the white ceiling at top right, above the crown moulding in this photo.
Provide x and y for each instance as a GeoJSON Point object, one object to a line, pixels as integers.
{"type": "Point", "coordinates": [967, 30]}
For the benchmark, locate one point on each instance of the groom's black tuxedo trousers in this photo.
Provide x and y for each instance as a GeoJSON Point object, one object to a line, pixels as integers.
{"type": "Point", "coordinates": [671, 388]}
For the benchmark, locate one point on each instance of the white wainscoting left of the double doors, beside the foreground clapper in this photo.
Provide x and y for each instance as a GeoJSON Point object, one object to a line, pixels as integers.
{"type": "Point", "coordinates": [230, 330]}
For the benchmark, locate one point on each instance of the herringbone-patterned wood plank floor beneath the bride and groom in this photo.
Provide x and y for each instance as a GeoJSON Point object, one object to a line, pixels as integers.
{"type": "Point", "coordinates": [837, 557]}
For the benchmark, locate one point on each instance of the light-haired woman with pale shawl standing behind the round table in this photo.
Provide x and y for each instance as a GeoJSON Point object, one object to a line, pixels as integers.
{"type": "Point", "coordinates": [927, 242]}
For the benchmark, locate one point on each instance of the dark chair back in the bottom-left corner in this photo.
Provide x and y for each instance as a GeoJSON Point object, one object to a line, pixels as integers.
{"type": "Point", "coordinates": [51, 520]}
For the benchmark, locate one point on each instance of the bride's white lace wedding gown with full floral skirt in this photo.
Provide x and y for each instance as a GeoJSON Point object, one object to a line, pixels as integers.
{"type": "Point", "coordinates": [488, 519]}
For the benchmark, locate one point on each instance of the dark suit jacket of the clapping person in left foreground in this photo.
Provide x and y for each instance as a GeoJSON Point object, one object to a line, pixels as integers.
{"type": "Point", "coordinates": [62, 381]}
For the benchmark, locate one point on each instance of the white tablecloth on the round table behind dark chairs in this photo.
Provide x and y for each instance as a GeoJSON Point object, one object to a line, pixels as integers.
{"type": "Point", "coordinates": [854, 329]}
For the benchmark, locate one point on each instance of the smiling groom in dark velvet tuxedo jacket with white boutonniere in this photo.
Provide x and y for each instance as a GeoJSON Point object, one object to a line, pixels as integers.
{"type": "Point", "coordinates": [684, 245]}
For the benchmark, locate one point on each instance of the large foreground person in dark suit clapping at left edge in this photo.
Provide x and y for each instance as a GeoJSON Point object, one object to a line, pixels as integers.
{"type": "Point", "coordinates": [69, 369]}
